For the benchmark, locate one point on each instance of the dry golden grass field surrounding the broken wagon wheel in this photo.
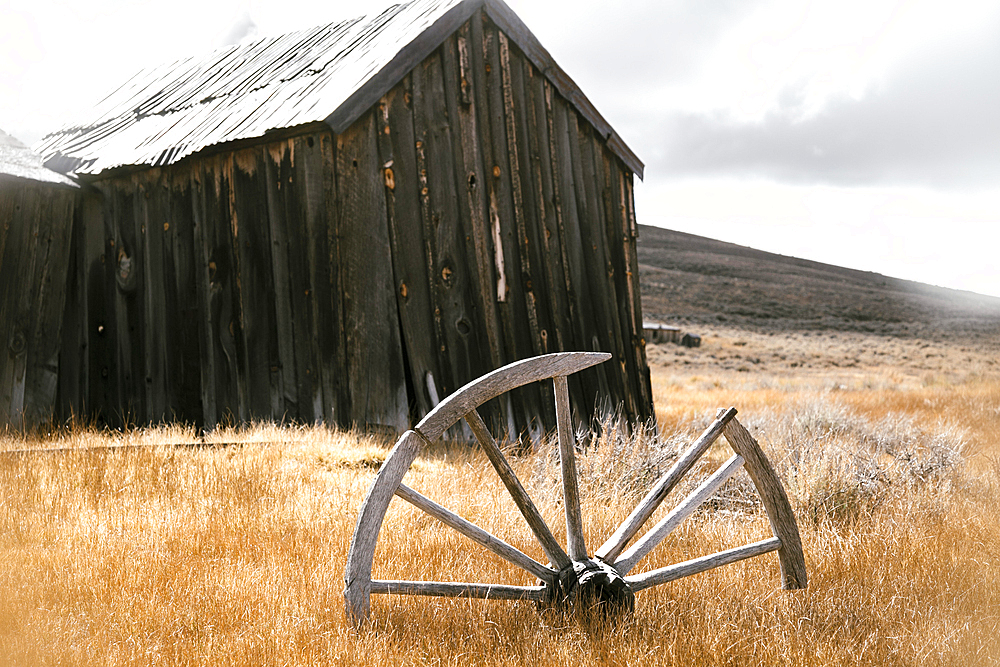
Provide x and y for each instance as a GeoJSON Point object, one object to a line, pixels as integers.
{"type": "Point", "coordinates": [158, 555]}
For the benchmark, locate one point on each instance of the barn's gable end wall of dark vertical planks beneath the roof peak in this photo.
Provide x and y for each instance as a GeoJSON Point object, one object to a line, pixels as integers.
{"type": "Point", "coordinates": [513, 231]}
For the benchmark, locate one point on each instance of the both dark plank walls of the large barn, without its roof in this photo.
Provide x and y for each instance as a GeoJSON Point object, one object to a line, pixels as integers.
{"type": "Point", "coordinates": [470, 219]}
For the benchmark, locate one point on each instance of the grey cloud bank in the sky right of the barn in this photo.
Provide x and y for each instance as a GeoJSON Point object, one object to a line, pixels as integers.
{"type": "Point", "coordinates": [935, 121]}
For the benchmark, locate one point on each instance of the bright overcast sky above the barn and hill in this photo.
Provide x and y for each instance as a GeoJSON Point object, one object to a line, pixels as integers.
{"type": "Point", "coordinates": [860, 133]}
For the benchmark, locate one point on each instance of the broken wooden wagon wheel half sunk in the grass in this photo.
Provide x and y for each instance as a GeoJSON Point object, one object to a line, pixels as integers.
{"type": "Point", "coordinates": [571, 576]}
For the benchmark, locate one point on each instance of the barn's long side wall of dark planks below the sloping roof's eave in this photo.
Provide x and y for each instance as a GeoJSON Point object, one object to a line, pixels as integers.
{"type": "Point", "coordinates": [240, 286]}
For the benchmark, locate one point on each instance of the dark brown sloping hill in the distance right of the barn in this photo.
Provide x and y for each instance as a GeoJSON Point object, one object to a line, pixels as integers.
{"type": "Point", "coordinates": [688, 278]}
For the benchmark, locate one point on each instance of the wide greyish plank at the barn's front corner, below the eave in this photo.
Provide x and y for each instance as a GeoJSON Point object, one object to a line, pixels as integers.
{"type": "Point", "coordinates": [371, 322]}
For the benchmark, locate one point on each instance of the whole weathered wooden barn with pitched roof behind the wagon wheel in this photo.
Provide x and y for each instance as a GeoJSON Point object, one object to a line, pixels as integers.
{"type": "Point", "coordinates": [346, 224]}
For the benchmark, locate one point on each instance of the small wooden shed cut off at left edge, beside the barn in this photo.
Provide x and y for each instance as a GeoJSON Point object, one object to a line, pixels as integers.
{"type": "Point", "coordinates": [36, 218]}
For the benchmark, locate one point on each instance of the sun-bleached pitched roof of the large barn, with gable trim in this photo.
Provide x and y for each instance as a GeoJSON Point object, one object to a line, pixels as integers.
{"type": "Point", "coordinates": [330, 74]}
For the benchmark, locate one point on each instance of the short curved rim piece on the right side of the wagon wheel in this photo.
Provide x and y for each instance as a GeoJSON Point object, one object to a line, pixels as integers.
{"type": "Point", "coordinates": [779, 512]}
